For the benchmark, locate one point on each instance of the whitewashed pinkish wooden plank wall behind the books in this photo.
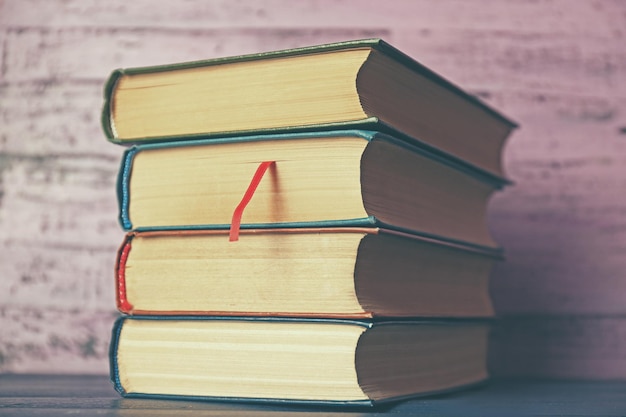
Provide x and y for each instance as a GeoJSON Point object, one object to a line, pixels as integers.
{"type": "Point", "coordinates": [557, 67]}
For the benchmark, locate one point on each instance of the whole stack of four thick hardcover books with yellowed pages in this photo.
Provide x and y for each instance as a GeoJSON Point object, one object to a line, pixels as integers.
{"type": "Point", "coordinates": [306, 225]}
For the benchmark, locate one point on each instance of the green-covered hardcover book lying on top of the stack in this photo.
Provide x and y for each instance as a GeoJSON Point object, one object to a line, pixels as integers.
{"type": "Point", "coordinates": [365, 84]}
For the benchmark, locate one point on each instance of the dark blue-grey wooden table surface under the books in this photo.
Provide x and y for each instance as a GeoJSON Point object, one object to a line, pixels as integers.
{"type": "Point", "coordinates": [50, 395]}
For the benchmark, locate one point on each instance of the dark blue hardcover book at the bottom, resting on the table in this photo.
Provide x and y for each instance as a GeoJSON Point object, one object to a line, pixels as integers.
{"type": "Point", "coordinates": [313, 361]}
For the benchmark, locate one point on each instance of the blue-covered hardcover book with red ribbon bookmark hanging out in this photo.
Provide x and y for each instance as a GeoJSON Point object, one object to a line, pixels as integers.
{"type": "Point", "coordinates": [350, 178]}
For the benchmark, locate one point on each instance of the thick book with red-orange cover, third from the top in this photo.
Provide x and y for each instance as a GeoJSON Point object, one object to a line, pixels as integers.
{"type": "Point", "coordinates": [326, 272]}
